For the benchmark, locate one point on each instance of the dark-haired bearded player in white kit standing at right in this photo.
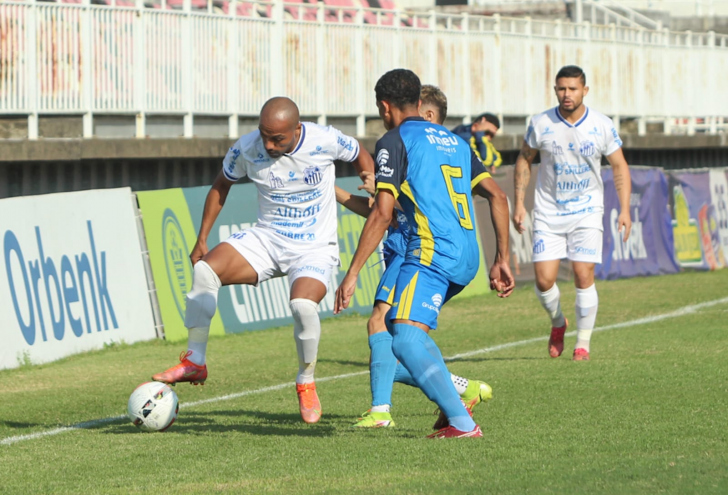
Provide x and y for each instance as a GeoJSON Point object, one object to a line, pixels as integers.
{"type": "Point", "coordinates": [569, 202]}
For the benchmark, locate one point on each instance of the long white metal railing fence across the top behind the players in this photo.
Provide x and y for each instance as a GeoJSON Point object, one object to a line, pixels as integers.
{"type": "Point", "coordinates": [92, 60]}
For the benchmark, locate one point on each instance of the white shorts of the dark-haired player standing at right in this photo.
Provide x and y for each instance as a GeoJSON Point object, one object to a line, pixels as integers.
{"type": "Point", "coordinates": [580, 244]}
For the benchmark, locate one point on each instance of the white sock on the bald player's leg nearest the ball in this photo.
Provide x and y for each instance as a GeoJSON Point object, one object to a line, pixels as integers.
{"type": "Point", "coordinates": [201, 306]}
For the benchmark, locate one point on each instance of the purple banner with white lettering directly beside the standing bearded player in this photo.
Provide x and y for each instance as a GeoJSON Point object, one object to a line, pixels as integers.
{"type": "Point", "coordinates": [649, 249]}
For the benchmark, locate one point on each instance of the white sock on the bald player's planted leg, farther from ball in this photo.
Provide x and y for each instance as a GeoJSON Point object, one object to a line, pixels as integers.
{"type": "Point", "coordinates": [306, 332]}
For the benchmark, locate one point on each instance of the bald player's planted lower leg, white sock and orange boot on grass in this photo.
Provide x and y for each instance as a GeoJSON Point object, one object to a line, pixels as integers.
{"type": "Point", "coordinates": [307, 333]}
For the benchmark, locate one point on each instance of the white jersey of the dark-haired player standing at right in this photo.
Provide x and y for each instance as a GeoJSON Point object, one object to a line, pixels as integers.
{"type": "Point", "coordinates": [569, 190]}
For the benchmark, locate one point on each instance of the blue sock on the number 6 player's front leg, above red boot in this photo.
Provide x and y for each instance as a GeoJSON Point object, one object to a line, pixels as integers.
{"type": "Point", "coordinates": [418, 353]}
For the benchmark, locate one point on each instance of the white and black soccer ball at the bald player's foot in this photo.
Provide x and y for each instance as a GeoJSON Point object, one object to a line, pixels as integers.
{"type": "Point", "coordinates": [153, 406]}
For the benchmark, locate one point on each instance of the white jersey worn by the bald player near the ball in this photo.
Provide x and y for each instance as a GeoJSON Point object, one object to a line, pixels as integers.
{"type": "Point", "coordinates": [296, 197]}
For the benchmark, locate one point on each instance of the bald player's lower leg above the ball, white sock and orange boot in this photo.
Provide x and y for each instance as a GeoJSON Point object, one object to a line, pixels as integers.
{"type": "Point", "coordinates": [201, 305]}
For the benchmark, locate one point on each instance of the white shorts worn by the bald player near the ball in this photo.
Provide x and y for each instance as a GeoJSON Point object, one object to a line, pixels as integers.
{"type": "Point", "coordinates": [272, 256]}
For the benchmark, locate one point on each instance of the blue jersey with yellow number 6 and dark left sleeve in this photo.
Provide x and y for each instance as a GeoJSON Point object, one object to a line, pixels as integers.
{"type": "Point", "coordinates": [434, 170]}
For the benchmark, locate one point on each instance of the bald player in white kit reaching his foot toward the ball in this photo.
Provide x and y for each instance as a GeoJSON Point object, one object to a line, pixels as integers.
{"type": "Point", "coordinates": [292, 166]}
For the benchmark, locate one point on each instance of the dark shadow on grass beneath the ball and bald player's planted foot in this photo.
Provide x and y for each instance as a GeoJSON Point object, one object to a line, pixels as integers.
{"type": "Point", "coordinates": [251, 422]}
